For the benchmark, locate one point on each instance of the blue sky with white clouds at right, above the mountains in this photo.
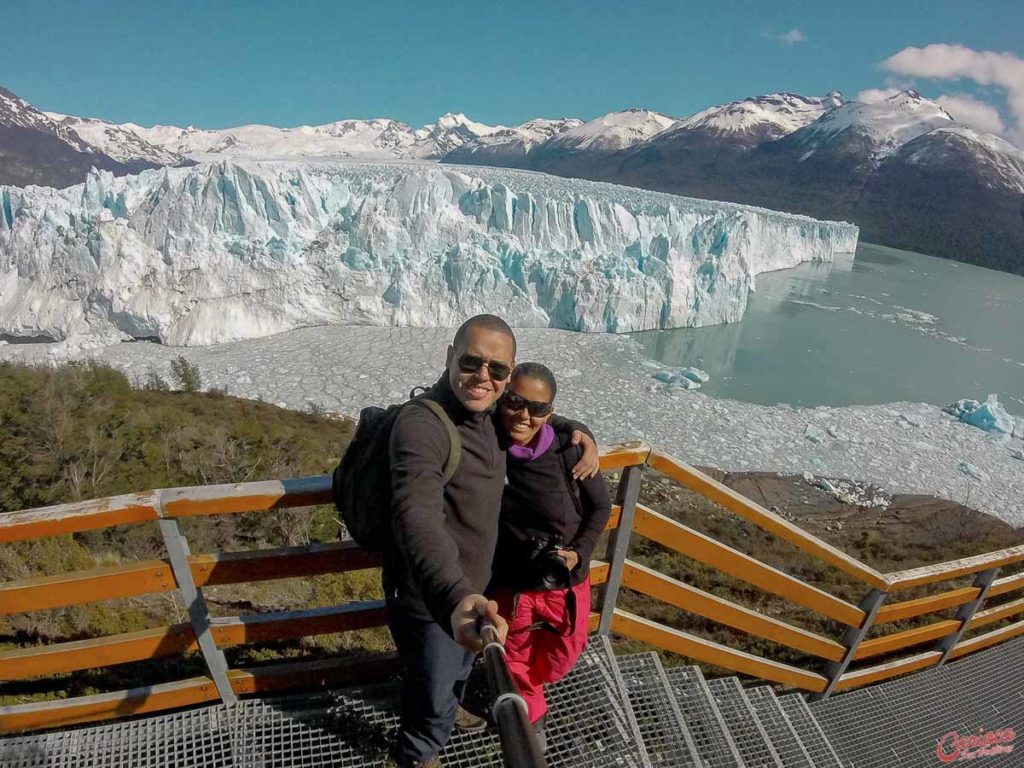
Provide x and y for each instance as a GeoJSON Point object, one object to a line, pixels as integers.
{"type": "Point", "coordinates": [217, 65]}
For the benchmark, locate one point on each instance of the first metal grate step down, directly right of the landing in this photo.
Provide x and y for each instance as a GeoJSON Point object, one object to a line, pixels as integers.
{"type": "Point", "coordinates": [665, 735]}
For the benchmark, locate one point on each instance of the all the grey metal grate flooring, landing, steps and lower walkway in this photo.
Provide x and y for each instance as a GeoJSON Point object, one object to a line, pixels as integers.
{"type": "Point", "coordinates": [625, 712]}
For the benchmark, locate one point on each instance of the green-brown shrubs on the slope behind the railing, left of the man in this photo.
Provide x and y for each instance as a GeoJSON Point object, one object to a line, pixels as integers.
{"type": "Point", "coordinates": [81, 432]}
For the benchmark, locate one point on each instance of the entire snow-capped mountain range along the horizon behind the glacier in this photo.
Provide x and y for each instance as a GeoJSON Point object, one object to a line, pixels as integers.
{"type": "Point", "coordinates": [903, 168]}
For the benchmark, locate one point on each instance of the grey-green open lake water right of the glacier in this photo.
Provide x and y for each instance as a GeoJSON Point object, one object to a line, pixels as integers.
{"type": "Point", "coordinates": [887, 326]}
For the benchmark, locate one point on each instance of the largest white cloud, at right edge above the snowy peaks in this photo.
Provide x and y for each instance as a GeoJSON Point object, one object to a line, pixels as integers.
{"type": "Point", "coordinates": [942, 62]}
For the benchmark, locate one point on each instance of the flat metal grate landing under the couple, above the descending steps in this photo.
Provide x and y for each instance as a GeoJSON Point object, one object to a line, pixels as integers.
{"type": "Point", "coordinates": [590, 723]}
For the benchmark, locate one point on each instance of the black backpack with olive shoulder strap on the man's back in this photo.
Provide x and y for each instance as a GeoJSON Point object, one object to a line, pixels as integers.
{"type": "Point", "coordinates": [362, 483]}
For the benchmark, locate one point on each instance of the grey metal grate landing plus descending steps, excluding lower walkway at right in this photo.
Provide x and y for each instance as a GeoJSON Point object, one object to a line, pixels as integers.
{"type": "Point", "coordinates": [625, 712]}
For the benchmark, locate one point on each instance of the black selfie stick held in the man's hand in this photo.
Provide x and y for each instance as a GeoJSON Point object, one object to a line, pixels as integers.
{"type": "Point", "coordinates": [521, 747]}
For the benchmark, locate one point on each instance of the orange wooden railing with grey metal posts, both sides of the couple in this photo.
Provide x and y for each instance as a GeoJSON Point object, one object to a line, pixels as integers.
{"type": "Point", "coordinates": [831, 662]}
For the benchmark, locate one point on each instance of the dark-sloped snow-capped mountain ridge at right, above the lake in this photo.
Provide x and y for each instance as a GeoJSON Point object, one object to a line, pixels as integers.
{"type": "Point", "coordinates": [902, 168]}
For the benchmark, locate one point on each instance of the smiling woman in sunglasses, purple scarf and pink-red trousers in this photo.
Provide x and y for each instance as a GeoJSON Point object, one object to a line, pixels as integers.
{"type": "Point", "coordinates": [549, 527]}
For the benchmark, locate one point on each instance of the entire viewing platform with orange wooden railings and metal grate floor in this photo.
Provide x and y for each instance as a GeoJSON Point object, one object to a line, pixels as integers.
{"type": "Point", "coordinates": [830, 686]}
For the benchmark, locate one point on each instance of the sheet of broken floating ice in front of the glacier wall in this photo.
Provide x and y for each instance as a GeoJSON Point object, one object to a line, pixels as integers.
{"type": "Point", "coordinates": [606, 380]}
